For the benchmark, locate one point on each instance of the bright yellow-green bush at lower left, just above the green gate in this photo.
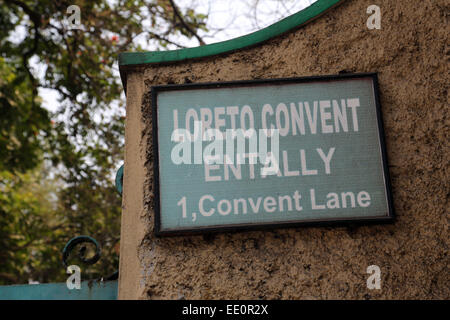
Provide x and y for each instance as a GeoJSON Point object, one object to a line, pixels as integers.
{"type": "Point", "coordinates": [30, 230]}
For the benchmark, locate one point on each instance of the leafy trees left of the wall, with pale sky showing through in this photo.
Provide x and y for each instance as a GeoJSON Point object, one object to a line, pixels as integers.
{"type": "Point", "coordinates": [57, 168]}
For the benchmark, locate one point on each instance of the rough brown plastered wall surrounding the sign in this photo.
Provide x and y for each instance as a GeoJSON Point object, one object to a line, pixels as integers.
{"type": "Point", "coordinates": [410, 53]}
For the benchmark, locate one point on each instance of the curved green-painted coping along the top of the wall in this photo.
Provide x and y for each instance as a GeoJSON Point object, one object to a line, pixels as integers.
{"type": "Point", "coordinates": [276, 29]}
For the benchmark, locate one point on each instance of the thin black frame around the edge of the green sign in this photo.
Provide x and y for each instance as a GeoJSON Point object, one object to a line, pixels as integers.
{"type": "Point", "coordinates": [326, 222]}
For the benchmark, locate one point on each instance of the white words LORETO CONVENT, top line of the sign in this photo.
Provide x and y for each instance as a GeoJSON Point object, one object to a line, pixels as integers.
{"type": "Point", "coordinates": [301, 118]}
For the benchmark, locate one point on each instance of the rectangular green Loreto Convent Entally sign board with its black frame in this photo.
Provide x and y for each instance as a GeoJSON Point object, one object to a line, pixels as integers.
{"type": "Point", "coordinates": [269, 153]}
